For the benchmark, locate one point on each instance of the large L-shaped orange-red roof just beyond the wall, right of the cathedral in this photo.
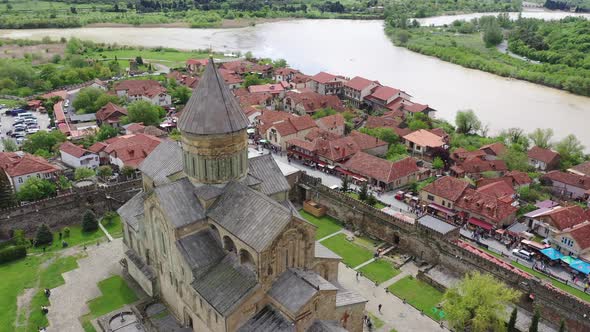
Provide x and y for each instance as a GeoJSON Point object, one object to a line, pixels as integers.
{"type": "Point", "coordinates": [381, 169]}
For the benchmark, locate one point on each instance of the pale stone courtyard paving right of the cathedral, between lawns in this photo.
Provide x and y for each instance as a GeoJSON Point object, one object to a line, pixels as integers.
{"type": "Point", "coordinates": [394, 313]}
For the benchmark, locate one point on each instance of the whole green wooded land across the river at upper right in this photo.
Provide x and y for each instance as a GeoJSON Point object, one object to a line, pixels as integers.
{"type": "Point", "coordinates": [556, 53]}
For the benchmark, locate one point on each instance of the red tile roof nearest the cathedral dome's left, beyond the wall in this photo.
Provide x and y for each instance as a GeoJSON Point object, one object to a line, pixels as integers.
{"type": "Point", "coordinates": [131, 149]}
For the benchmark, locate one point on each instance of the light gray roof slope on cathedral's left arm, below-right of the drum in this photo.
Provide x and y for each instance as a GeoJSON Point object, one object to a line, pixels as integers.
{"type": "Point", "coordinates": [179, 203]}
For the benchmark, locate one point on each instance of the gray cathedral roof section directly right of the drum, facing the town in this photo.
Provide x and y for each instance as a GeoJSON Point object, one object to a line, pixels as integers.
{"type": "Point", "coordinates": [266, 169]}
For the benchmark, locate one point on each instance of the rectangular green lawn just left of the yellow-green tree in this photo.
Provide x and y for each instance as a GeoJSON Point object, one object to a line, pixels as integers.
{"type": "Point", "coordinates": [417, 293]}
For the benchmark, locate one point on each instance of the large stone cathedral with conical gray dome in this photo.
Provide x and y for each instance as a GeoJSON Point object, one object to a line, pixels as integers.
{"type": "Point", "coordinates": [214, 237]}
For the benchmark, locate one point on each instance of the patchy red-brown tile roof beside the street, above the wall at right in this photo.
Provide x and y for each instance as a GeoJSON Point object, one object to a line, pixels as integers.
{"type": "Point", "coordinates": [485, 205]}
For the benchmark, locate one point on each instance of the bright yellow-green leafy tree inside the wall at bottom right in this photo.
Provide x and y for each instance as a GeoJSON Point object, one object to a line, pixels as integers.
{"type": "Point", "coordinates": [477, 303]}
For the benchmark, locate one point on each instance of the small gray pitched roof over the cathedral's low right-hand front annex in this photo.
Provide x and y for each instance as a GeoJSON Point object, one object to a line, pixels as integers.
{"type": "Point", "coordinates": [292, 291]}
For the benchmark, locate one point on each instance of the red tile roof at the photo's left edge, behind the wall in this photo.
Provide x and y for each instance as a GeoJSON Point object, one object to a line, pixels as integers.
{"type": "Point", "coordinates": [17, 164]}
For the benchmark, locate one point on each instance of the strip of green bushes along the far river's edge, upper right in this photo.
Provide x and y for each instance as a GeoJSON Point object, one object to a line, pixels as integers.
{"type": "Point", "coordinates": [468, 50]}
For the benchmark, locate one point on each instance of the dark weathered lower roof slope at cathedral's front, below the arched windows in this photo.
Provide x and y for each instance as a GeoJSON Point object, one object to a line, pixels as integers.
{"type": "Point", "coordinates": [225, 285]}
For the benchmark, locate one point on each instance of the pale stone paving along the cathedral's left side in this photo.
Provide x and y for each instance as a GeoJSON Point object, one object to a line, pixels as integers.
{"type": "Point", "coordinates": [68, 301]}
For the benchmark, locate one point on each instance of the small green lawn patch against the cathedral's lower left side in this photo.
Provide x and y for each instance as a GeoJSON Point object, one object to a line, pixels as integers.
{"type": "Point", "coordinates": [115, 294]}
